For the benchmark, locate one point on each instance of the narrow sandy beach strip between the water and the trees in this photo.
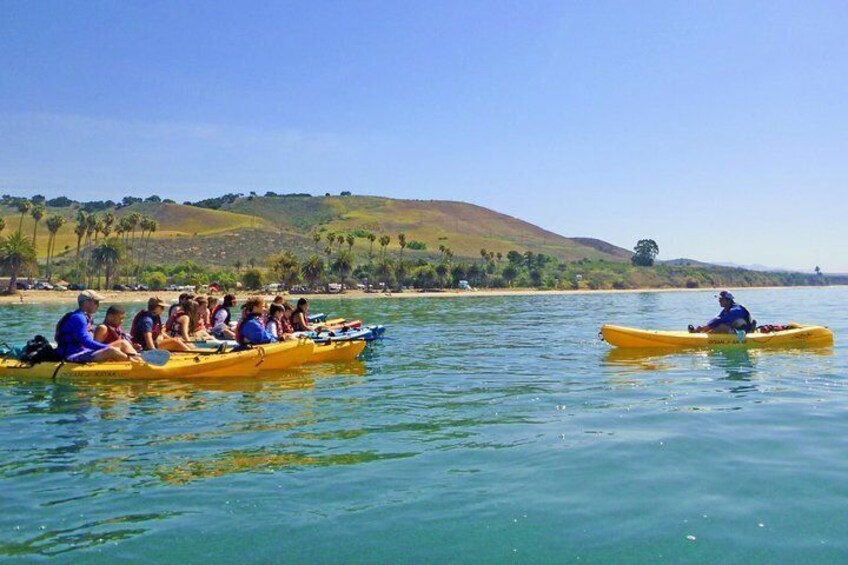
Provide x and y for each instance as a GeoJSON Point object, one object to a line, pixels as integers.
{"type": "Point", "coordinates": [58, 297]}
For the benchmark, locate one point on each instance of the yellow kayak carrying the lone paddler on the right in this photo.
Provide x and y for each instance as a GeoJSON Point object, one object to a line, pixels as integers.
{"type": "Point", "coordinates": [799, 336]}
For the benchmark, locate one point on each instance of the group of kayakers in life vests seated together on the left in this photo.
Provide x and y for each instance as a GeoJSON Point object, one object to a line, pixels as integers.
{"type": "Point", "coordinates": [192, 318]}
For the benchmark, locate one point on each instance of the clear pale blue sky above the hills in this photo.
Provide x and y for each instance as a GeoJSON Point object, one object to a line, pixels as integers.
{"type": "Point", "coordinates": [718, 129]}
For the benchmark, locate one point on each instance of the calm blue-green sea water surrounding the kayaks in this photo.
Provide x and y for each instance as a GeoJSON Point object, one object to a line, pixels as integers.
{"type": "Point", "coordinates": [486, 430]}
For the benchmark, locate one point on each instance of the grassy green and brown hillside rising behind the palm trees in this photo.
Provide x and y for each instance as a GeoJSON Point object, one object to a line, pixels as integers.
{"type": "Point", "coordinates": [243, 227]}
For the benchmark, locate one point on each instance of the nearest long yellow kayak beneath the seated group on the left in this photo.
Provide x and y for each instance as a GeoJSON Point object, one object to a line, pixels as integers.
{"type": "Point", "coordinates": [180, 366]}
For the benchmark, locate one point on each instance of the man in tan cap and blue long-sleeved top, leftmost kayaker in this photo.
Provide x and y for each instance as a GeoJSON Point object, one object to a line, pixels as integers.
{"type": "Point", "coordinates": [76, 343]}
